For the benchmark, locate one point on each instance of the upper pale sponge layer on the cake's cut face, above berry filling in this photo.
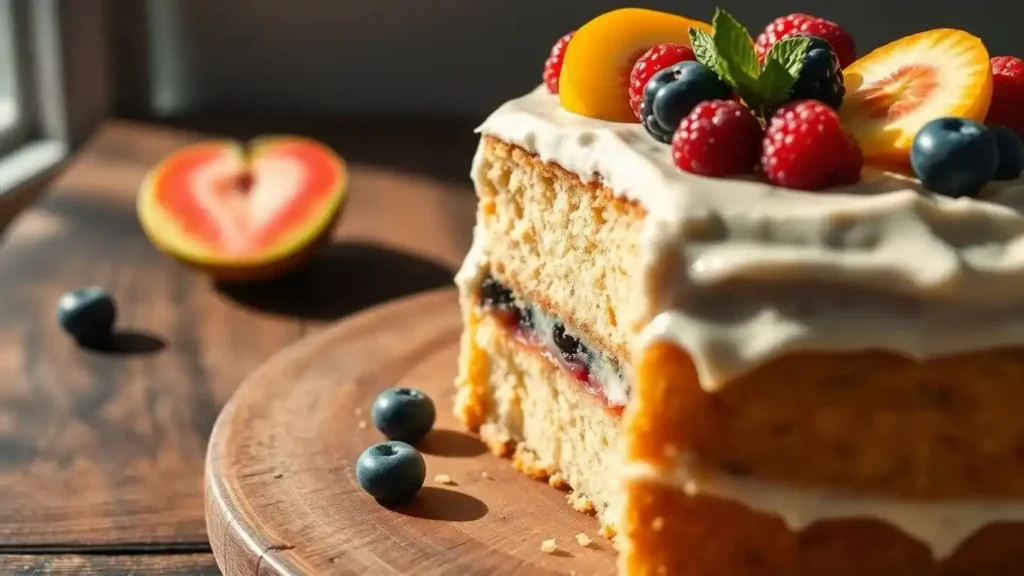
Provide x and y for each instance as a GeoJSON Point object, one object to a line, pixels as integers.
{"type": "Point", "coordinates": [567, 246]}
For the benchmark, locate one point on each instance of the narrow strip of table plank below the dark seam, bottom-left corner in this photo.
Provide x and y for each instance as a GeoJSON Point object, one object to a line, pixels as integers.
{"type": "Point", "coordinates": [156, 565]}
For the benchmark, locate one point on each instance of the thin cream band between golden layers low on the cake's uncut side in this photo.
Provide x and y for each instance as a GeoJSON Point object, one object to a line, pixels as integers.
{"type": "Point", "coordinates": [943, 526]}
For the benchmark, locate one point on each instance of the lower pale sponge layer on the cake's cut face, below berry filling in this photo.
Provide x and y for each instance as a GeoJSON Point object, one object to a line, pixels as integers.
{"type": "Point", "coordinates": [541, 416]}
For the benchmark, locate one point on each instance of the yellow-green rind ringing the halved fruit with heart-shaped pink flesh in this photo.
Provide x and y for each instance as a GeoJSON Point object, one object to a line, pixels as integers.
{"type": "Point", "coordinates": [167, 234]}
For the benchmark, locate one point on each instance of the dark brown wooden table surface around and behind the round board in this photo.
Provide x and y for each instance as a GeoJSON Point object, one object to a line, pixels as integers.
{"type": "Point", "coordinates": [102, 456]}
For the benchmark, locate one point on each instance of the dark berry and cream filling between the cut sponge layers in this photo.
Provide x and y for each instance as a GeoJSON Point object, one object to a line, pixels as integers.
{"type": "Point", "coordinates": [598, 375]}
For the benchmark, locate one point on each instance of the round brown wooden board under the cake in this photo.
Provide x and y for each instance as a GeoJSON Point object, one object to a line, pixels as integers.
{"type": "Point", "coordinates": [281, 491]}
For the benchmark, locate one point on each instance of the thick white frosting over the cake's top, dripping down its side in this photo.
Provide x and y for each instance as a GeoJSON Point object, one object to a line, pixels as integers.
{"type": "Point", "coordinates": [766, 271]}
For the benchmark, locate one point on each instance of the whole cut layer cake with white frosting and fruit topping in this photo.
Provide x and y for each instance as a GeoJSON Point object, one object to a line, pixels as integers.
{"type": "Point", "coordinates": [792, 347]}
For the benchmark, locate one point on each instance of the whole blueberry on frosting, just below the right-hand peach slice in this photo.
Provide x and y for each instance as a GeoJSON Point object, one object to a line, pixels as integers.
{"type": "Point", "coordinates": [955, 156]}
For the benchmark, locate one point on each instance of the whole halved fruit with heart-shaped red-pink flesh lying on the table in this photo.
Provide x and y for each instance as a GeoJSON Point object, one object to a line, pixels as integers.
{"type": "Point", "coordinates": [243, 215]}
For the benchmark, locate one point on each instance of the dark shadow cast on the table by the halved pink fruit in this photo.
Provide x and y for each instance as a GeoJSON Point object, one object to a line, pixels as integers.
{"type": "Point", "coordinates": [343, 279]}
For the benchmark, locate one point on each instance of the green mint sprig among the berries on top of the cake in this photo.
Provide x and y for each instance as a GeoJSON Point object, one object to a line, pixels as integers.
{"type": "Point", "coordinates": [730, 52]}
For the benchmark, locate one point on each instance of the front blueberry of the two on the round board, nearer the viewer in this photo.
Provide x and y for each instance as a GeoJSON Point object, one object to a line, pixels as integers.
{"type": "Point", "coordinates": [392, 472]}
